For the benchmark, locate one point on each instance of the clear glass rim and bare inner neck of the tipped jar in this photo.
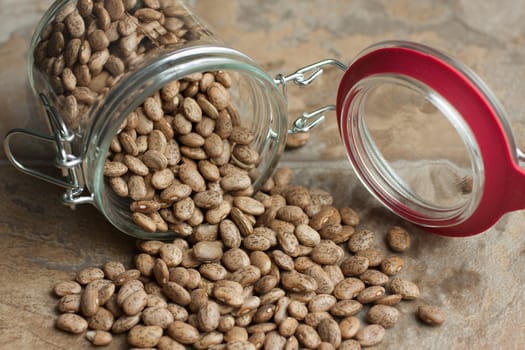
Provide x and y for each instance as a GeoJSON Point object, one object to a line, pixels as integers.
{"type": "Point", "coordinates": [262, 103]}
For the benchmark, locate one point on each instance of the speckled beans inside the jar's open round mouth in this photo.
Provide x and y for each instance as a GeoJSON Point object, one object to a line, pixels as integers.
{"type": "Point", "coordinates": [182, 164]}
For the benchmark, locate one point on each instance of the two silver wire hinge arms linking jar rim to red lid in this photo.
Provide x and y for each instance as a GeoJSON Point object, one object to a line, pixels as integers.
{"type": "Point", "coordinates": [305, 76]}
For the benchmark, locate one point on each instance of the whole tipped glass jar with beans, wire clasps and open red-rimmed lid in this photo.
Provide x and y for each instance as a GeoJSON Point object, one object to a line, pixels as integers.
{"type": "Point", "coordinates": [92, 65]}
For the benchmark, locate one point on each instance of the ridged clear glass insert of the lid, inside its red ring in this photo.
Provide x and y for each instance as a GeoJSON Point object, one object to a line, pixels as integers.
{"type": "Point", "coordinates": [422, 184]}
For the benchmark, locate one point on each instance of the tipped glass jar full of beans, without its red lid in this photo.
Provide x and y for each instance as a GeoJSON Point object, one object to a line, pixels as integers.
{"type": "Point", "coordinates": [147, 108]}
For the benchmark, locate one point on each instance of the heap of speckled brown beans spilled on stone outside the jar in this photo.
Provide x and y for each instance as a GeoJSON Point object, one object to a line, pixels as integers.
{"type": "Point", "coordinates": [285, 269]}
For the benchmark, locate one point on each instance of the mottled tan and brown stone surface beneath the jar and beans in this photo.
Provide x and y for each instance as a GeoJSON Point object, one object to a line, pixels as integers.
{"type": "Point", "coordinates": [478, 281]}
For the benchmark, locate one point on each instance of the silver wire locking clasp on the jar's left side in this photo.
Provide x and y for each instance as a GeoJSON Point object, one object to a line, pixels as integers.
{"type": "Point", "coordinates": [71, 165]}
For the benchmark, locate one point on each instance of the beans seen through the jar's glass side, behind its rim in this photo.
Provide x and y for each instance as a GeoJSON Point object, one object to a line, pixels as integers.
{"type": "Point", "coordinates": [91, 44]}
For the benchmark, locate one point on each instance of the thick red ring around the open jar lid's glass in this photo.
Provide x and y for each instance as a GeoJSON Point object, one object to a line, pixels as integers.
{"type": "Point", "coordinates": [503, 179]}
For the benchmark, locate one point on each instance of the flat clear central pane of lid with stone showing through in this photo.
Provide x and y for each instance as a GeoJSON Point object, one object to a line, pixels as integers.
{"type": "Point", "coordinates": [418, 145]}
